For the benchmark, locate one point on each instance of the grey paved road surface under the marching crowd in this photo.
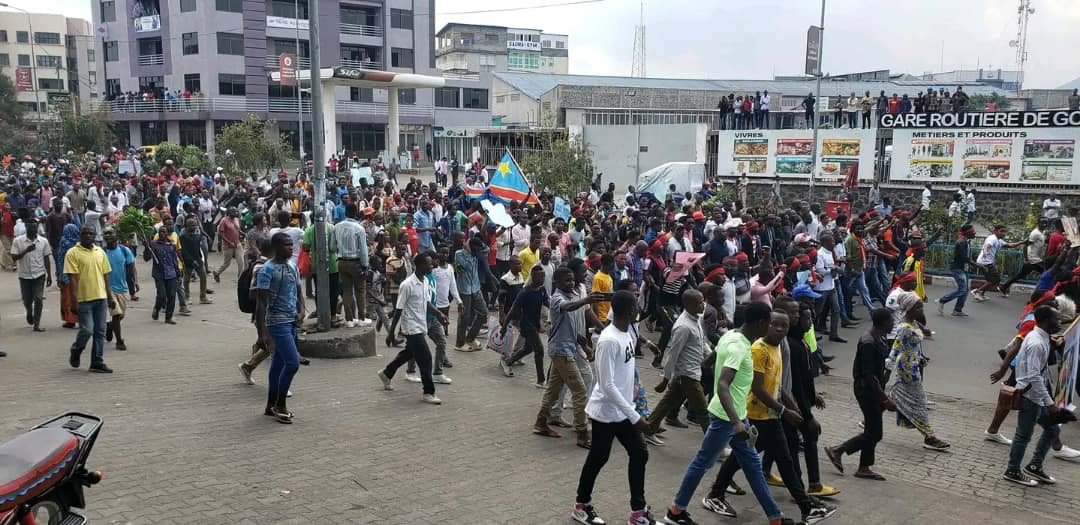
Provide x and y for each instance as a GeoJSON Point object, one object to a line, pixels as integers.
{"type": "Point", "coordinates": [186, 442]}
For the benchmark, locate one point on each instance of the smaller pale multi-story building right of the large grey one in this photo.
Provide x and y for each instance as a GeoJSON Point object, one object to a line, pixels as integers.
{"type": "Point", "coordinates": [467, 56]}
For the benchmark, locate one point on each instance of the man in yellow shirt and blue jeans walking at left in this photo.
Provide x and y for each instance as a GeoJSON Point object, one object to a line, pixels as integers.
{"type": "Point", "coordinates": [88, 267]}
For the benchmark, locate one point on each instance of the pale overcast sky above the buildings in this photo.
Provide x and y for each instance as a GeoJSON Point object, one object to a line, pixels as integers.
{"type": "Point", "coordinates": [758, 39]}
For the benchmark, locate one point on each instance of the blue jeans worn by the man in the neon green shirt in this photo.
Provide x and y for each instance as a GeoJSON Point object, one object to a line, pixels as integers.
{"type": "Point", "coordinates": [718, 437]}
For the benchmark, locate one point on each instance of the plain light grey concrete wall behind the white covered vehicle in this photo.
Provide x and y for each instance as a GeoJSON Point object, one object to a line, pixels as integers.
{"type": "Point", "coordinates": [618, 150]}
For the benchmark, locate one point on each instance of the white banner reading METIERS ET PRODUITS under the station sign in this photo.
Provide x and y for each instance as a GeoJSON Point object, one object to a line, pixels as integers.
{"type": "Point", "coordinates": [1028, 155]}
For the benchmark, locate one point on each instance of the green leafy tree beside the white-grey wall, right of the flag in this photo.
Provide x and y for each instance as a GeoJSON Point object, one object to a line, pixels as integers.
{"type": "Point", "coordinates": [566, 168]}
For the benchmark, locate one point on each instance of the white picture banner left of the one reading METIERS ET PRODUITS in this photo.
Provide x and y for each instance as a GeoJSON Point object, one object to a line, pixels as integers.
{"type": "Point", "coordinates": [788, 154]}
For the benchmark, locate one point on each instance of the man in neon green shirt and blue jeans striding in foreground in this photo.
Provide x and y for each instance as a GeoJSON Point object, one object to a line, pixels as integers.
{"type": "Point", "coordinates": [735, 374]}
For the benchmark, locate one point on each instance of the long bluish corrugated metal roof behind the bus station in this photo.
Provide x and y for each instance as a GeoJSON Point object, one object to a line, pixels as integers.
{"type": "Point", "coordinates": [536, 85]}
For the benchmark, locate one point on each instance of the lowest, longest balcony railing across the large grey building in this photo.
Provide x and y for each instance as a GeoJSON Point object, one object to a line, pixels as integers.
{"type": "Point", "coordinates": [254, 105]}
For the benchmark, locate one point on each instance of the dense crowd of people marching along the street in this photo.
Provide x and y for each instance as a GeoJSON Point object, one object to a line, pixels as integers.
{"type": "Point", "coordinates": [736, 304]}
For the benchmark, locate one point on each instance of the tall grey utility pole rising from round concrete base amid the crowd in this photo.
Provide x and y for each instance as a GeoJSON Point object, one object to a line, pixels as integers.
{"type": "Point", "coordinates": [319, 171]}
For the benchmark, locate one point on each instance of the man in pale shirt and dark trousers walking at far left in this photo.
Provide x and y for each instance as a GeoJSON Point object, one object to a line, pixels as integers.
{"type": "Point", "coordinates": [32, 254]}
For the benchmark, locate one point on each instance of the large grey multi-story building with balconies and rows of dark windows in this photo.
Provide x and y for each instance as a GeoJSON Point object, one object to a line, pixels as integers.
{"type": "Point", "coordinates": [222, 52]}
